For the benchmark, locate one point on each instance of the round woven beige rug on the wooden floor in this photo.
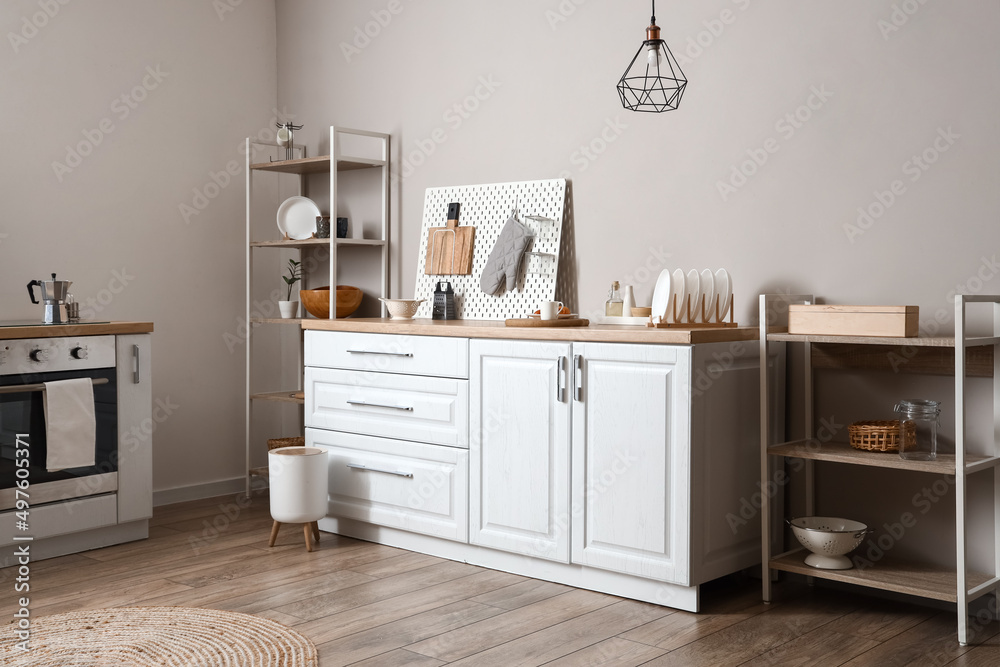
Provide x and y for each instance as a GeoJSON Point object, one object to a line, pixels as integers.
{"type": "Point", "coordinates": [156, 637]}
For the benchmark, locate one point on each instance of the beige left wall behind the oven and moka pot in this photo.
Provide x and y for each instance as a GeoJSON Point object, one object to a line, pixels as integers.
{"type": "Point", "coordinates": [113, 223]}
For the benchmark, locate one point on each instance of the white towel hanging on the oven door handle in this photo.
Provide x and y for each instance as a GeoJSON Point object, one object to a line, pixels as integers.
{"type": "Point", "coordinates": [70, 424]}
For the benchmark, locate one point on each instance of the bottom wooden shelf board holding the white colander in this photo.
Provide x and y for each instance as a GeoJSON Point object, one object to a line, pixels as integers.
{"type": "Point", "coordinates": [926, 581]}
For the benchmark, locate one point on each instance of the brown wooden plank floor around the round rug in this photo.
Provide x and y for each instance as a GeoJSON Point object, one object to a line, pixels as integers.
{"type": "Point", "coordinates": [367, 604]}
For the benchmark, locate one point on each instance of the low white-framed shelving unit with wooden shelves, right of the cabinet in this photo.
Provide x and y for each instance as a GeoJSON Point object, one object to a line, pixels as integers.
{"type": "Point", "coordinates": [959, 585]}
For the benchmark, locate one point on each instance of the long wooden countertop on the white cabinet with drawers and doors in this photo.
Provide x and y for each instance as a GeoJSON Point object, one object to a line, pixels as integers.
{"type": "Point", "coordinates": [604, 333]}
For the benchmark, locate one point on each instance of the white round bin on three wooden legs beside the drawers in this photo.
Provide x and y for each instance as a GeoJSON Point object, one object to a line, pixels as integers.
{"type": "Point", "coordinates": [298, 489]}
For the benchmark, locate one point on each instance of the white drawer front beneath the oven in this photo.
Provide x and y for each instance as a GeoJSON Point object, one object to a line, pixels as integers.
{"type": "Point", "coordinates": [61, 518]}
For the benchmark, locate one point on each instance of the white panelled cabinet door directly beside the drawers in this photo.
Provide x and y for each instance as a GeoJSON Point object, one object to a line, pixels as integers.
{"type": "Point", "coordinates": [519, 447]}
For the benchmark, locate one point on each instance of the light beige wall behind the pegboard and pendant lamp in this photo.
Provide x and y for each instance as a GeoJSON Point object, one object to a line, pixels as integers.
{"type": "Point", "coordinates": [903, 95]}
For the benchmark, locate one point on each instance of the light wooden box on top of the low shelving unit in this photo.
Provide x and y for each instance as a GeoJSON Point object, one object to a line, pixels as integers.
{"type": "Point", "coordinates": [895, 321]}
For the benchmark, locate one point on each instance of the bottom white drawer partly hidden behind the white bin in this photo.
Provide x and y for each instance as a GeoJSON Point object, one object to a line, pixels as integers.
{"type": "Point", "coordinates": [420, 488]}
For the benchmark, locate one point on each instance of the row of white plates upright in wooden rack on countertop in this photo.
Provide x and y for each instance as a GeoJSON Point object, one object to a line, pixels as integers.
{"type": "Point", "coordinates": [692, 297]}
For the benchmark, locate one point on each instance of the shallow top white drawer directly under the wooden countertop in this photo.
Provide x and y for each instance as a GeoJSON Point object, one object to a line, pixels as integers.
{"type": "Point", "coordinates": [388, 353]}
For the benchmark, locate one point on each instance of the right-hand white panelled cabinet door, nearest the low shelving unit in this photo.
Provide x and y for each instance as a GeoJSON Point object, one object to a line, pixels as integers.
{"type": "Point", "coordinates": [631, 459]}
